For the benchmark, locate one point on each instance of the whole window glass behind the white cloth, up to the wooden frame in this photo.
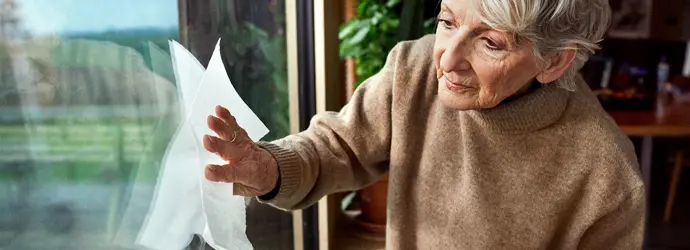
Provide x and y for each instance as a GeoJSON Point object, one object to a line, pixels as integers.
{"type": "Point", "coordinates": [89, 105]}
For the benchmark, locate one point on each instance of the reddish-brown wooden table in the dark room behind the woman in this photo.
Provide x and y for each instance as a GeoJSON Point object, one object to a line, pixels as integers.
{"type": "Point", "coordinates": [675, 122]}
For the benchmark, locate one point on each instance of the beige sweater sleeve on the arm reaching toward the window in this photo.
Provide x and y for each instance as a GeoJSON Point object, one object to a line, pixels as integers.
{"type": "Point", "coordinates": [345, 150]}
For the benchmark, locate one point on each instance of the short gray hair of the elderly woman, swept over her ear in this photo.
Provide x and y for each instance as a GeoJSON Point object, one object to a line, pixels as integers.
{"type": "Point", "coordinates": [552, 26]}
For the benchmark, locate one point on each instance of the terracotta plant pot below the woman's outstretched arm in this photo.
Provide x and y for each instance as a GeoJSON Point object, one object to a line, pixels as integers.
{"type": "Point", "coordinates": [373, 201]}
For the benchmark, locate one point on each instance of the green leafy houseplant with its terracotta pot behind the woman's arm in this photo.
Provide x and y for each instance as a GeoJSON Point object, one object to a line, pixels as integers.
{"type": "Point", "coordinates": [367, 39]}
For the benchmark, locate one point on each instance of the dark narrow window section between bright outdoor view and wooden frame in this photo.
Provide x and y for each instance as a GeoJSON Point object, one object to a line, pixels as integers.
{"type": "Point", "coordinates": [253, 47]}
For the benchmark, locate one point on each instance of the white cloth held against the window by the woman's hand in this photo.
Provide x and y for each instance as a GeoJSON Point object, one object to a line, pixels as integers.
{"type": "Point", "coordinates": [185, 203]}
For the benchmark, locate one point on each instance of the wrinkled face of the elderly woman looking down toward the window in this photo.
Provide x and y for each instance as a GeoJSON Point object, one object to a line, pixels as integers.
{"type": "Point", "coordinates": [478, 67]}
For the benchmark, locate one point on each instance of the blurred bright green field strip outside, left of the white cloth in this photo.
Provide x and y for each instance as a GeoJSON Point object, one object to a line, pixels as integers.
{"type": "Point", "coordinates": [87, 151]}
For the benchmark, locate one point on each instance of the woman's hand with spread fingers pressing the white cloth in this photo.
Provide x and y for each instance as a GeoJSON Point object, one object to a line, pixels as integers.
{"type": "Point", "coordinates": [252, 169]}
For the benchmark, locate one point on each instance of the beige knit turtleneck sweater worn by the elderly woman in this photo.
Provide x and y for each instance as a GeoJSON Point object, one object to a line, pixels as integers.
{"type": "Point", "coordinates": [550, 170]}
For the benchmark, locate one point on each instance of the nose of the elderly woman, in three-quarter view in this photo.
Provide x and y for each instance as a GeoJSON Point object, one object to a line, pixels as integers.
{"type": "Point", "coordinates": [454, 57]}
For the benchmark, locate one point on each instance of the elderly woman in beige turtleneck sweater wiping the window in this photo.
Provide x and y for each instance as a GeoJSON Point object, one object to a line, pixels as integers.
{"type": "Point", "coordinates": [491, 139]}
